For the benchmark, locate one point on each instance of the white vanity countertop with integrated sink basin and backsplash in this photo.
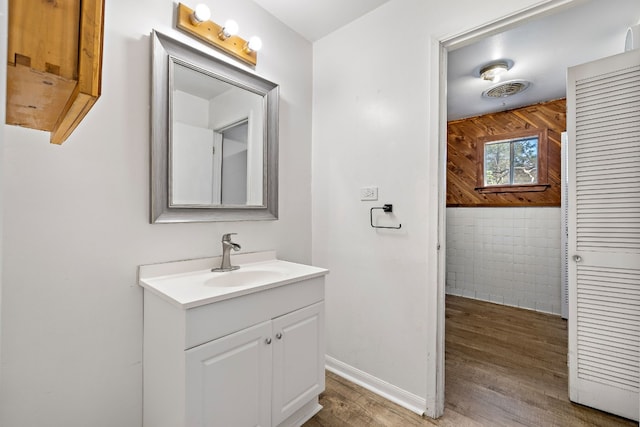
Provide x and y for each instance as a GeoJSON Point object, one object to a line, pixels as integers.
{"type": "Point", "coordinates": [191, 283]}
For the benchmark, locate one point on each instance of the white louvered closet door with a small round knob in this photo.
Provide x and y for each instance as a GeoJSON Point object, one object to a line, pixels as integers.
{"type": "Point", "coordinates": [603, 102]}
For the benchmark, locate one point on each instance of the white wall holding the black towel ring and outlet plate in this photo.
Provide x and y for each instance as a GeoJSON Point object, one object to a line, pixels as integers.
{"type": "Point", "coordinates": [375, 123]}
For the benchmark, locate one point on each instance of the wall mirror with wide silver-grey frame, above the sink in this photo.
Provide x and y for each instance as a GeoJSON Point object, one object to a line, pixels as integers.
{"type": "Point", "coordinates": [214, 138]}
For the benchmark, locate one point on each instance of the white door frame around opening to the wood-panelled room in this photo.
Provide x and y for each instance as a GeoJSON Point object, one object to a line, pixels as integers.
{"type": "Point", "coordinates": [439, 48]}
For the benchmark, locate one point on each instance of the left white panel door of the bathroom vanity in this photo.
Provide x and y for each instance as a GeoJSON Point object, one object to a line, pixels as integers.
{"type": "Point", "coordinates": [228, 380]}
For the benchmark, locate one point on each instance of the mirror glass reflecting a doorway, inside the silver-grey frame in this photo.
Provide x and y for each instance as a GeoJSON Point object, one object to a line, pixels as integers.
{"type": "Point", "coordinates": [216, 143]}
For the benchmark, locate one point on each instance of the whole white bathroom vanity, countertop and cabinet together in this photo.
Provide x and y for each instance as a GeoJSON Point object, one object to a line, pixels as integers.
{"type": "Point", "coordinates": [239, 348]}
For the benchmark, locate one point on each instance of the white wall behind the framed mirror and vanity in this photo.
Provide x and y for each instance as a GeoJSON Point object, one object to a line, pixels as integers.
{"type": "Point", "coordinates": [76, 220]}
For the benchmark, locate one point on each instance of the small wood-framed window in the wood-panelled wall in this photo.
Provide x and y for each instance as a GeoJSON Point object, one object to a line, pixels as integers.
{"type": "Point", "coordinates": [513, 162]}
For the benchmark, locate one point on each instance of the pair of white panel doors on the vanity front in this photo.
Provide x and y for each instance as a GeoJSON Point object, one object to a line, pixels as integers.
{"type": "Point", "coordinates": [259, 376]}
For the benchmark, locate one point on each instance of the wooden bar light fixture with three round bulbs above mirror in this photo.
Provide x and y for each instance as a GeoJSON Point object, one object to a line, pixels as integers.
{"type": "Point", "coordinates": [196, 23]}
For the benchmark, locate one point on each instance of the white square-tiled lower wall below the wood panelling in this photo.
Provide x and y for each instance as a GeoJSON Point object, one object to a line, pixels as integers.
{"type": "Point", "coordinates": [508, 256]}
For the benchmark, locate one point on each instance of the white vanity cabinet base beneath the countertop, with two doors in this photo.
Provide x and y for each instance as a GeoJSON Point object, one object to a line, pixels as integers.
{"type": "Point", "coordinates": [253, 360]}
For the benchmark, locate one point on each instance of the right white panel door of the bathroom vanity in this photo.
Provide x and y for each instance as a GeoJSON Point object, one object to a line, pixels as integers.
{"type": "Point", "coordinates": [298, 360]}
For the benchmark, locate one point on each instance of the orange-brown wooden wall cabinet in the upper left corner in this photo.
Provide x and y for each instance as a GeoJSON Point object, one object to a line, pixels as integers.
{"type": "Point", "coordinates": [54, 63]}
